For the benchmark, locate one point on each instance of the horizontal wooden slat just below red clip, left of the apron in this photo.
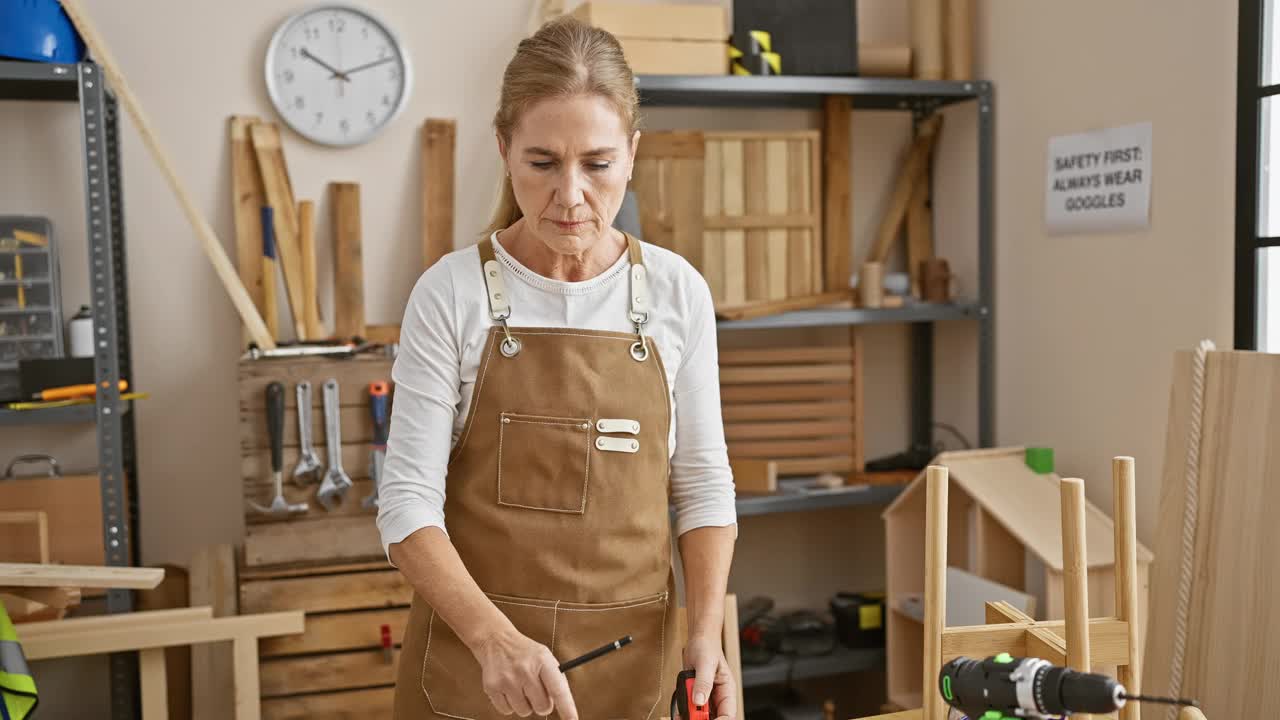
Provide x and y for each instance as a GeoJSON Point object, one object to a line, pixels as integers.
{"type": "Point", "coordinates": [336, 672]}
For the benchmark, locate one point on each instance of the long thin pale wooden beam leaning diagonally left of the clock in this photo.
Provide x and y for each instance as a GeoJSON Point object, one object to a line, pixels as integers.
{"type": "Point", "coordinates": [209, 241]}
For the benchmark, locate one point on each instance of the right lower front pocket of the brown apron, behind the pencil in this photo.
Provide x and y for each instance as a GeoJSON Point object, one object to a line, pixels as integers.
{"type": "Point", "coordinates": [627, 683]}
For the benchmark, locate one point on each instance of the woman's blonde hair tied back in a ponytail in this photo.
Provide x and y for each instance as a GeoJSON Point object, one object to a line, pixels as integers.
{"type": "Point", "coordinates": [564, 60]}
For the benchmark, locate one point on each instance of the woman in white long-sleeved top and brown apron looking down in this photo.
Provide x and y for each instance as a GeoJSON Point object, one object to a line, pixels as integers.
{"type": "Point", "coordinates": [578, 371]}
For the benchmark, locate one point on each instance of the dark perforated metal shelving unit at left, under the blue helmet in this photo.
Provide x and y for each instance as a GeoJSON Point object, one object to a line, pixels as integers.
{"type": "Point", "coordinates": [104, 204]}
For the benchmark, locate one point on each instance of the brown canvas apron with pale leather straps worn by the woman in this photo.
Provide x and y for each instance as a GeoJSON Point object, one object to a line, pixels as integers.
{"type": "Point", "coordinates": [559, 505]}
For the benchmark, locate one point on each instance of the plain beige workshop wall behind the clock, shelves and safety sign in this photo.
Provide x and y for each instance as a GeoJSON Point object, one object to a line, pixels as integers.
{"type": "Point", "coordinates": [1086, 326]}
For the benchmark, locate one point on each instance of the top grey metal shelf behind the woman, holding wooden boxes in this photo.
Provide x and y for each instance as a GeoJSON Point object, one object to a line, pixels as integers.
{"type": "Point", "coordinates": [803, 92]}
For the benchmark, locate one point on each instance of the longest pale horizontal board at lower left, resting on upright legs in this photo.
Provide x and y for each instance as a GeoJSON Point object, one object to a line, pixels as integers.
{"type": "Point", "coordinates": [76, 641]}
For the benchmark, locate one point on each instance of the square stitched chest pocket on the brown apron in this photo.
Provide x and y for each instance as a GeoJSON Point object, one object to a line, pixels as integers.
{"type": "Point", "coordinates": [545, 463]}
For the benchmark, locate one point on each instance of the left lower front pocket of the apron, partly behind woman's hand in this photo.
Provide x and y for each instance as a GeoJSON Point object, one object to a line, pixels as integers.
{"type": "Point", "coordinates": [451, 675]}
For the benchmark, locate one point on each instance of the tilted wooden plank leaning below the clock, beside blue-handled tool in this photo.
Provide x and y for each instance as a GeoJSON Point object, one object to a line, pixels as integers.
{"type": "Point", "coordinates": [280, 197]}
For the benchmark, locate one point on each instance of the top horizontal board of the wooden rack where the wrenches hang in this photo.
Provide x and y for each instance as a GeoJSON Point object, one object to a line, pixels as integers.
{"type": "Point", "coordinates": [353, 375]}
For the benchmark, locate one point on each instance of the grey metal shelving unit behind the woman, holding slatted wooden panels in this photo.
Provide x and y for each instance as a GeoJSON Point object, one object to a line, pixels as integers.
{"type": "Point", "coordinates": [921, 99]}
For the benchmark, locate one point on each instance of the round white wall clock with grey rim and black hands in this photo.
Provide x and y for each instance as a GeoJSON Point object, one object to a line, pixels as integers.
{"type": "Point", "coordinates": [337, 75]}
